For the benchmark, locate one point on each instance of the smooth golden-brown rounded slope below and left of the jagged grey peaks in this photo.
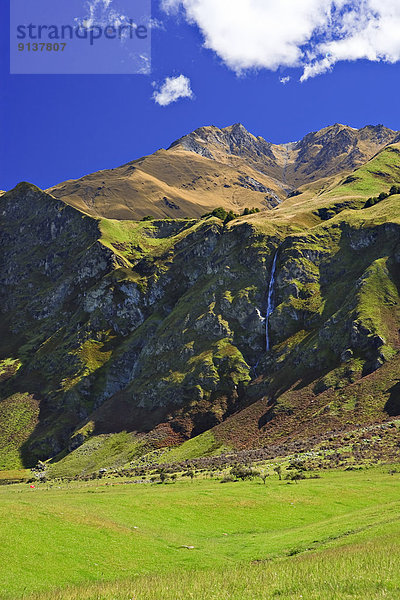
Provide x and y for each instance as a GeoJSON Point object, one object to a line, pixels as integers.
{"type": "Point", "coordinates": [171, 183]}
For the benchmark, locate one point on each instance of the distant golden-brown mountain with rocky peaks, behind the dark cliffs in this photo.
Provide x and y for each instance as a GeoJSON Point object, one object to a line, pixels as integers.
{"type": "Point", "coordinates": [227, 167]}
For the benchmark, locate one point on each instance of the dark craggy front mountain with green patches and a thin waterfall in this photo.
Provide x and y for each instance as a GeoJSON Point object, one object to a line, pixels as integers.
{"type": "Point", "coordinates": [158, 327]}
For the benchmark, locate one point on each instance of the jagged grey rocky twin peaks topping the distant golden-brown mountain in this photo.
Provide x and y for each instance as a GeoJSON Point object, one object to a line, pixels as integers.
{"type": "Point", "coordinates": [332, 150]}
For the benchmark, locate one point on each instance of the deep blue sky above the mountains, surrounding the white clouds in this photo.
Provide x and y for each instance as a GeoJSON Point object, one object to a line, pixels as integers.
{"type": "Point", "coordinates": [57, 127]}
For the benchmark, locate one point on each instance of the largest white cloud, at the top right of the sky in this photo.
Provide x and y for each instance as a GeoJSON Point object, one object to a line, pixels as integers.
{"type": "Point", "coordinates": [311, 34]}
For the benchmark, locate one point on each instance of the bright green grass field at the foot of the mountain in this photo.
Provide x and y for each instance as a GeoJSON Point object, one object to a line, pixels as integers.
{"type": "Point", "coordinates": [331, 538]}
